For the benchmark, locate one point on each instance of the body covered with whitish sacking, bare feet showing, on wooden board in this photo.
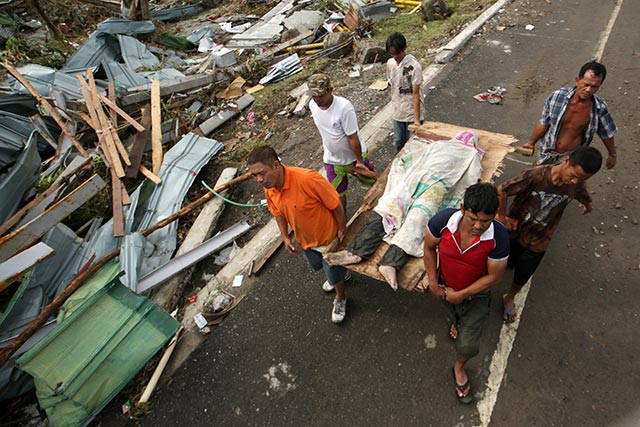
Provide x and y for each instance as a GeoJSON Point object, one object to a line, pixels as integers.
{"type": "Point", "coordinates": [428, 177]}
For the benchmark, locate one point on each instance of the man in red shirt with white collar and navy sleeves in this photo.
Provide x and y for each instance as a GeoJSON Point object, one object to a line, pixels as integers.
{"type": "Point", "coordinates": [473, 250]}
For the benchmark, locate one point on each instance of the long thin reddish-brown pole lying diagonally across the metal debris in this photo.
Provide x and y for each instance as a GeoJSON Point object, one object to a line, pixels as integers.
{"type": "Point", "coordinates": [85, 273]}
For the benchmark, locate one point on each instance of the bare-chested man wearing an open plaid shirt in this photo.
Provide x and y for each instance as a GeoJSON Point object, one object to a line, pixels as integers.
{"type": "Point", "coordinates": [571, 117]}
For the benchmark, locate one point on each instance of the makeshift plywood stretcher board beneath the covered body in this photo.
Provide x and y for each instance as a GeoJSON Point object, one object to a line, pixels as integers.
{"type": "Point", "coordinates": [411, 277]}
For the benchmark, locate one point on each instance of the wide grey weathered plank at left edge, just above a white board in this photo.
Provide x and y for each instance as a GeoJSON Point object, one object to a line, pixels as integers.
{"type": "Point", "coordinates": [29, 233]}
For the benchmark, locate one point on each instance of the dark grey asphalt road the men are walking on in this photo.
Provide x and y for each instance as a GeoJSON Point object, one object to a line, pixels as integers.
{"type": "Point", "coordinates": [278, 359]}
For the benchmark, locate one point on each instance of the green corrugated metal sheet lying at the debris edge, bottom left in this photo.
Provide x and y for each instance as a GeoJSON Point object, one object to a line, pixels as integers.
{"type": "Point", "coordinates": [96, 351]}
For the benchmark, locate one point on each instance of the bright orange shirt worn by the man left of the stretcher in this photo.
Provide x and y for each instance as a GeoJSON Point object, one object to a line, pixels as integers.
{"type": "Point", "coordinates": [306, 201]}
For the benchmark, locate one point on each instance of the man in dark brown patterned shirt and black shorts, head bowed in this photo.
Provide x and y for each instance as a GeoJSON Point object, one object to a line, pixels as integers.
{"type": "Point", "coordinates": [540, 196]}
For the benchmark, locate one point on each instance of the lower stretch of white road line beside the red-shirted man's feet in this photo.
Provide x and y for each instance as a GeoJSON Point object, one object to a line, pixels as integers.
{"type": "Point", "coordinates": [499, 360]}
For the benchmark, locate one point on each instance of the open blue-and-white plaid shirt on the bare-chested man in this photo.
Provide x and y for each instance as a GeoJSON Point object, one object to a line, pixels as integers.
{"type": "Point", "coordinates": [600, 120]}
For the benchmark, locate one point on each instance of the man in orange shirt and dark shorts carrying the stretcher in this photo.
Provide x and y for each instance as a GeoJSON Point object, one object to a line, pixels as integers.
{"type": "Point", "coordinates": [306, 201]}
